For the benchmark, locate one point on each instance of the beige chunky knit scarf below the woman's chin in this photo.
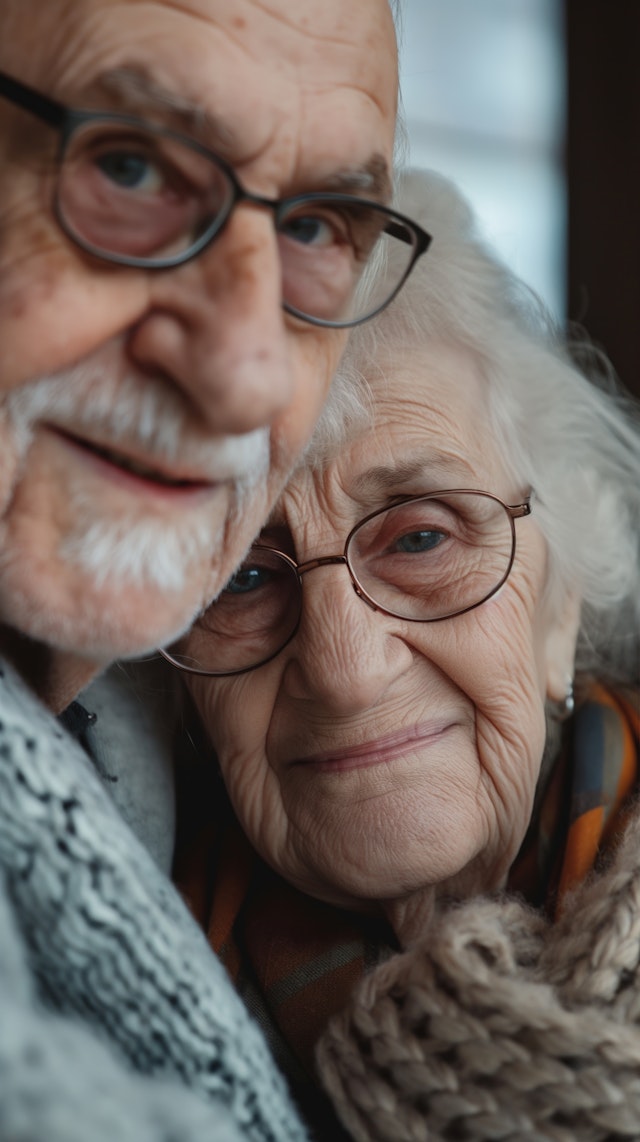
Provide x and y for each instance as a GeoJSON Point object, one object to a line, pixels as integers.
{"type": "Point", "coordinates": [502, 1025]}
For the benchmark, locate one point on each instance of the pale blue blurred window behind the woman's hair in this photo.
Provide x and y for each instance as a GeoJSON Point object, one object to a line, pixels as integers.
{"type": "Point", "coordinates": [484, 95]}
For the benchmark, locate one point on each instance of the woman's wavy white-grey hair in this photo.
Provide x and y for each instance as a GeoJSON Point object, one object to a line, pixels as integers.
{"type": "Point", "coordinates": [561, 420]}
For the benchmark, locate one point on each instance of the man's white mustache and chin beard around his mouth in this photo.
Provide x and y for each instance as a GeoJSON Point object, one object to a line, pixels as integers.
{"type": "Point", "coordinates": [149, 415]}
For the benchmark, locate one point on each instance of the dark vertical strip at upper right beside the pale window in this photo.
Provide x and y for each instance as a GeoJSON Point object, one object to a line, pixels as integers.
{"type": "Point", "coordinates": [604, 176]}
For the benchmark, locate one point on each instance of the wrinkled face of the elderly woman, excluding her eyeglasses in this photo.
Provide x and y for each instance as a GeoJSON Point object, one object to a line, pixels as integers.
{"type": "Point", "coordinates": [375, 758]}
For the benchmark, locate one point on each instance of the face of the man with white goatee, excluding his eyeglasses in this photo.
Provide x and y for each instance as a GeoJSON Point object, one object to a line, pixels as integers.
{"type": "Point", "coordinates": [148, 420]}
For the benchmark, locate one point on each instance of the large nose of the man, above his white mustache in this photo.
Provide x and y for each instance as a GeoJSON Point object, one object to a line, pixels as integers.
{"type": "Point", "coordinates": [217, 328]}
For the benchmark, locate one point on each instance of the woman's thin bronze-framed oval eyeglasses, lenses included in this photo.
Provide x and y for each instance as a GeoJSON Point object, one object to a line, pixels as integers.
{"type": "Point", "coordinates": [425, 560]}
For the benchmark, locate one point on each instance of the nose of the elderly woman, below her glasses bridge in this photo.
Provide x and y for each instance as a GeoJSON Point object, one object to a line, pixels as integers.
{"type": "Point", "coordinates": [346, 656]}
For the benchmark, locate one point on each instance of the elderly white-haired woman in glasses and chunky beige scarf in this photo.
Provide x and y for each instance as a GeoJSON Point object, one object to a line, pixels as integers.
{"type": "Point", "coordinates": [422, 693]}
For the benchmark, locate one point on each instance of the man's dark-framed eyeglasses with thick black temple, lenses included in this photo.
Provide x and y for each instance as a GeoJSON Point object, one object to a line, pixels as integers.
{"type": "Point", "coordinates": [139, 195]}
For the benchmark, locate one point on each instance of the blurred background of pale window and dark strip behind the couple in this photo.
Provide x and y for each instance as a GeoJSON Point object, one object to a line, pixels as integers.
{"type": "Point", "coordinates": [533, 107]}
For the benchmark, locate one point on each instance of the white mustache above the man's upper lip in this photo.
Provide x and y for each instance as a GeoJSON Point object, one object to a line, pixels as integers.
{"type": "Point", "coordinates": [146, 416]}
